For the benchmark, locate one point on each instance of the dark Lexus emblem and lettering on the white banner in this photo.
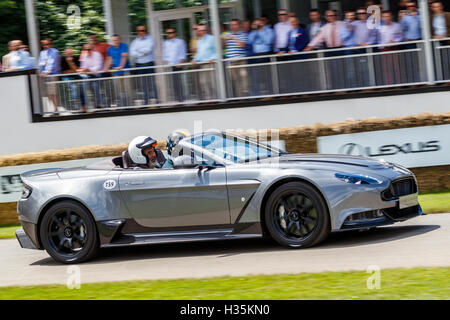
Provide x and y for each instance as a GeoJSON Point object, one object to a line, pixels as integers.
{"type": "Point", "coordinates": [355, 149]}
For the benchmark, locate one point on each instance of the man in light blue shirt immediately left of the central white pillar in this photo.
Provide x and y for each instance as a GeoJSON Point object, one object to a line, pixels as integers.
{"type": "Point", "coordinates": [206, 54]}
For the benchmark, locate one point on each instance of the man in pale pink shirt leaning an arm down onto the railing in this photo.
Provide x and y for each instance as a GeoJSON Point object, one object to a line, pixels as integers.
{"type": "Point", "coordinates": [329, 34]}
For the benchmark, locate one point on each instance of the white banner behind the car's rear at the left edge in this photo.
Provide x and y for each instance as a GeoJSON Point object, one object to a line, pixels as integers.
{"type": "Point", "coordinates": [11, 185]}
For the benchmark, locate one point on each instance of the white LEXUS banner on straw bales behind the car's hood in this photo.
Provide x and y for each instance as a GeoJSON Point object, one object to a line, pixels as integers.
{"type": "Point", "coordinates": [410, 147]}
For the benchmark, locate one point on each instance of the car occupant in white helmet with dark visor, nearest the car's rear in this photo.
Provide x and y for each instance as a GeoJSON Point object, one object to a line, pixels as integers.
{"type": "Point", "coordinates": [143, 153]}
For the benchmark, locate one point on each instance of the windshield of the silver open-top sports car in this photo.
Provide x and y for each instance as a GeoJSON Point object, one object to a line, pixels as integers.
{"type": "Point", "coordinates": [233, 148]}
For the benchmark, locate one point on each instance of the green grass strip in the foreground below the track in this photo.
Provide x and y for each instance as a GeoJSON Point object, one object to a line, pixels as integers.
{"type": "Point", "coordinates": [417, 283]}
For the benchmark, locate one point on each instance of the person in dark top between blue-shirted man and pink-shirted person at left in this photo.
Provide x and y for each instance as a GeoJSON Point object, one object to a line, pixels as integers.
{"type": "Point", "coordinates": [70, 65]}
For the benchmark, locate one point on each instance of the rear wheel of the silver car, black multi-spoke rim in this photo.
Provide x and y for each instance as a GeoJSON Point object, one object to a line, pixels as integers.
{"type": "Point", "coordinates": [68, 233]}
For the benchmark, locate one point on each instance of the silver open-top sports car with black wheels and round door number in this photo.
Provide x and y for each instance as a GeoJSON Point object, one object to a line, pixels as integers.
{"type": "Point", "coordinates": [219, 186]}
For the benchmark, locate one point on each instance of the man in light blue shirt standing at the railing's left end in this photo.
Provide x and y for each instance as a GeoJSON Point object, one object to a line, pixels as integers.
{"type": "Point", "coordinates": [49, 65]}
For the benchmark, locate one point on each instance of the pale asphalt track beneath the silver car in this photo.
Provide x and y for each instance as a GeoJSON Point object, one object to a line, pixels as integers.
{"type": "Point", "coordinates": [420, 242]}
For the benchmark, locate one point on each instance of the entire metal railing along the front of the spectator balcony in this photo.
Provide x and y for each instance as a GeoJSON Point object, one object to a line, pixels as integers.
{"type": "Point", "coordinates": [320, 71]}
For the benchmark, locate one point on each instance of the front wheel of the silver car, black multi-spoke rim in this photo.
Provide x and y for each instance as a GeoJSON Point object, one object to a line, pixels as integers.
{"type": "Point", "coordinates": [296, 215]}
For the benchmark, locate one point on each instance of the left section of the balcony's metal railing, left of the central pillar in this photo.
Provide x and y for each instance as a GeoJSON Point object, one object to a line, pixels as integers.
{"type": "Point", "coordinates": [129, 88]}
